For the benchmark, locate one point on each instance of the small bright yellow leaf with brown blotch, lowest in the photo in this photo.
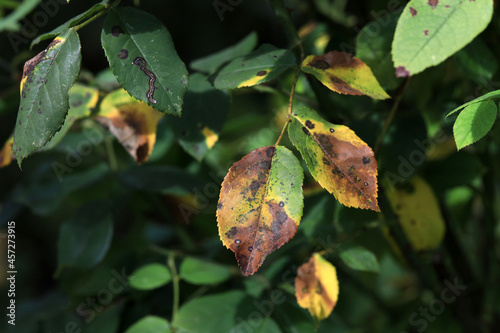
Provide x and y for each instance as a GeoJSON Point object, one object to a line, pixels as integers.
{"type": "Point", "coordinates": [317, 287]}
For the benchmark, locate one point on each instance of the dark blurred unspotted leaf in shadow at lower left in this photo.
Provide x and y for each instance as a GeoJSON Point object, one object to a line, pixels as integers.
{"type": "Point", "coordinates": [85, 239]}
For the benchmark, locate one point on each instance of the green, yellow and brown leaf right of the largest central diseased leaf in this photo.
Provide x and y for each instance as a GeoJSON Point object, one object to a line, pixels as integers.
{"type": "Point", "coordinates": [337, 158]}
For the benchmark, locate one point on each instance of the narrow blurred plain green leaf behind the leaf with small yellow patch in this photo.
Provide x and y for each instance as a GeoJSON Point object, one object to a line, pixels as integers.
{"type": "Point", "coordinates": [211, 63]}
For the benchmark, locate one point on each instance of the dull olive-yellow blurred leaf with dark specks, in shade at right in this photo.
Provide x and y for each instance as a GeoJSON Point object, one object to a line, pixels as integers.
{"type": "Point", "coordinates": [418, 211]}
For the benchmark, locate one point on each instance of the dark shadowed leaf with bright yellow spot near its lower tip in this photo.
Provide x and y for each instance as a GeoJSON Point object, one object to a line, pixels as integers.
{"type": "Point", "coordinates": [204, 113]}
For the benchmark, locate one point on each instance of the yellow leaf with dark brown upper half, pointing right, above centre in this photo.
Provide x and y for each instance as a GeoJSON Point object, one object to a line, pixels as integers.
{"type": "Point", "coordinates": [344, 73]}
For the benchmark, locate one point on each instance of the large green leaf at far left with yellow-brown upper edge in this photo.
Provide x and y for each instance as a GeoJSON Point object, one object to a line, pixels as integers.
{"type": "Point", "coordinates": [47, 80]}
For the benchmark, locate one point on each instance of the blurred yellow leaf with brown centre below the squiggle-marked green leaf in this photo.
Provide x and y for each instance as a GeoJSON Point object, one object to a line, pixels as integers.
{"type": "Point", "coordinates": [132, 122]}
